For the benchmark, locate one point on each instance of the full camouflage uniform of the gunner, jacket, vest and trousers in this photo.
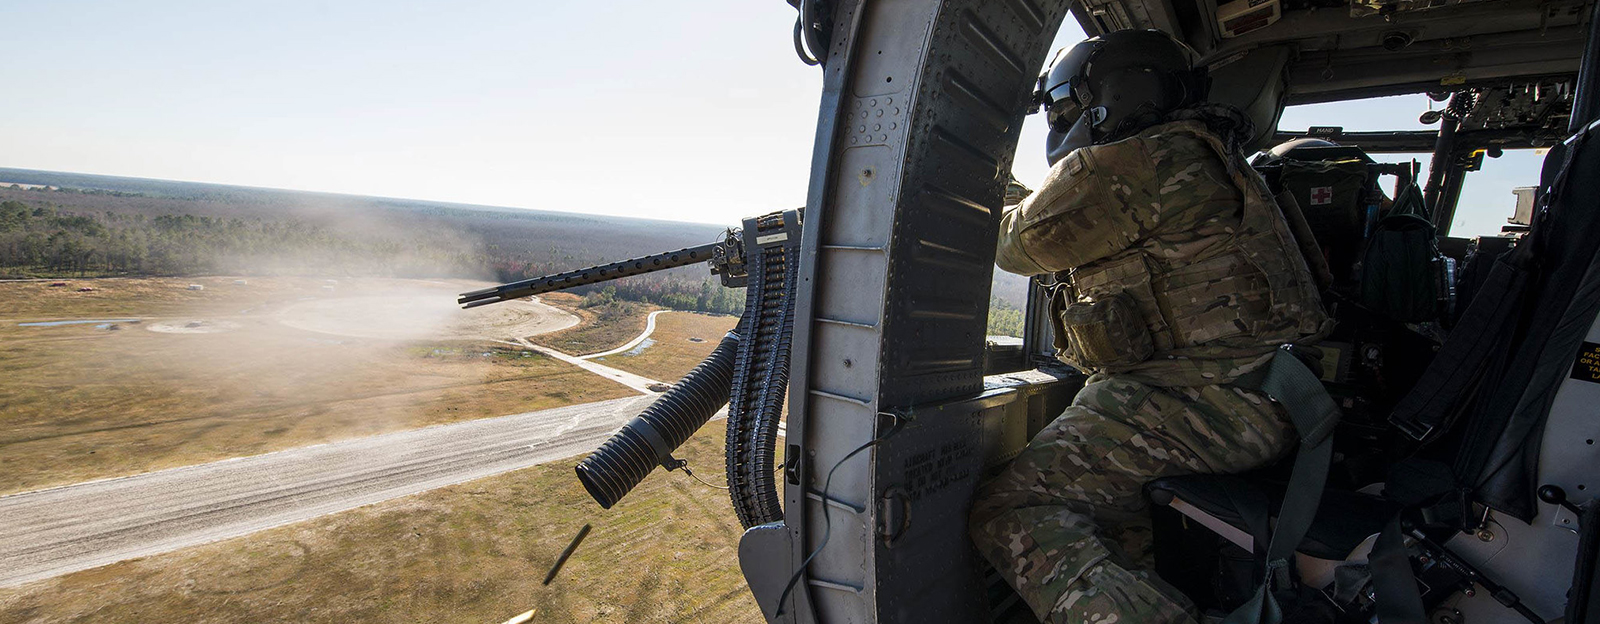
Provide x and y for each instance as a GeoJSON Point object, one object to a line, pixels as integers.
{"type": "Point", "coordinates": [1180, 276]}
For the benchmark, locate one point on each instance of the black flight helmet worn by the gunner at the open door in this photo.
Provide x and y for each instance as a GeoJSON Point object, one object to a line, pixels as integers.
{"type": "Point", "coordinates": [1111, 87]}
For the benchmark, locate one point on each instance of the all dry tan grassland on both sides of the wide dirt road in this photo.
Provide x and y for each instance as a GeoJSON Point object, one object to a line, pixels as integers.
{"type": "Point", "coordinates": [82, 402]}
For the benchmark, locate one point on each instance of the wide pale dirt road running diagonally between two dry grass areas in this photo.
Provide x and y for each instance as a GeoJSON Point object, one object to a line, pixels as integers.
{"type": "Point", "coordinates": [79, 527]}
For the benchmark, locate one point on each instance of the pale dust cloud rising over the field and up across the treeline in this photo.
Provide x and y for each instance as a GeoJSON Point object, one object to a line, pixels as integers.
{"type": "Point", "coordinates": [361, 318]}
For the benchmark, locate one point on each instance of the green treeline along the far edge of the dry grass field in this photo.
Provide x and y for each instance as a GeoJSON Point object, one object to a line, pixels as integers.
{"type": "Point", "coordinates": [44, 241]}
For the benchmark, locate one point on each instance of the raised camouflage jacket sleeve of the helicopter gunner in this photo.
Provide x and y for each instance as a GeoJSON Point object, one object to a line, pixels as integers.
{"type": "Point", "coordinates": [1095, 202]}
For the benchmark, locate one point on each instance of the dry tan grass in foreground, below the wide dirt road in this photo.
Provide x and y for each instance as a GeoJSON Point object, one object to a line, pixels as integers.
{"type": "Point", "coordinates": [474, 553]}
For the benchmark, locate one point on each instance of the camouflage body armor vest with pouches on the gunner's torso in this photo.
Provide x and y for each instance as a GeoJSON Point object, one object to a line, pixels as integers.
{"type": "Point", "coordinates": [1228, 297]}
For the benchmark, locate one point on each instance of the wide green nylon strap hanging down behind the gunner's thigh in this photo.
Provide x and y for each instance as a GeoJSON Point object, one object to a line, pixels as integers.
{"type": "Point", "coordinates": [1314, 415]}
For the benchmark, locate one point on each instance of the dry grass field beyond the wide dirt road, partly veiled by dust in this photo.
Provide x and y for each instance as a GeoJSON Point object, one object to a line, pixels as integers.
{"type": "Point", "coordinates": [222, 372]}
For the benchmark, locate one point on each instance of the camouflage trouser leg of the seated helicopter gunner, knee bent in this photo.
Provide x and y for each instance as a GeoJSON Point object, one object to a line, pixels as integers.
{"type": "Point", "coordinates": [1068, 522]}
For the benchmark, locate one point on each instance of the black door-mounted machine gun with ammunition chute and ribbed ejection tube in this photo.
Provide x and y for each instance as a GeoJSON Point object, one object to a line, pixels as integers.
{"type": "Point", "coordinates": [748, 372]}
